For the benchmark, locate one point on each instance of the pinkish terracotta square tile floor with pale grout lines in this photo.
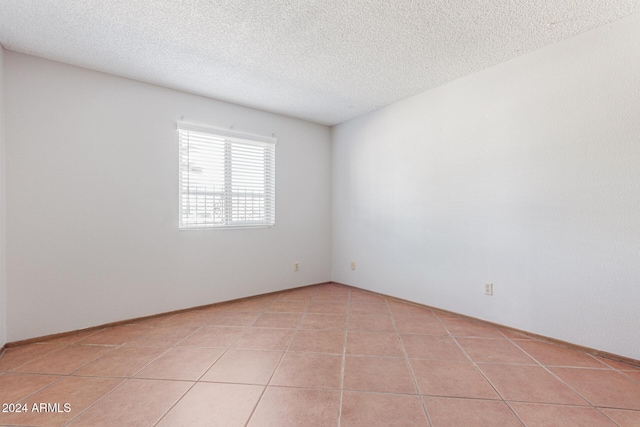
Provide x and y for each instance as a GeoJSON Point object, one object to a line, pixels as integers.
{"type": "Point", "coordinates": [326, 355]}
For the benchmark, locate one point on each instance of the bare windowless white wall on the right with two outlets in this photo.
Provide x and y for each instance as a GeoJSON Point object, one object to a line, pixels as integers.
{"type": "Point", "coordinates": [526, 175]}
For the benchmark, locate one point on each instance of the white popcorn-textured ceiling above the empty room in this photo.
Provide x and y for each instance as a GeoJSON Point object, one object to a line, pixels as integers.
{"type": "Point", "coordinates": [325, 61]}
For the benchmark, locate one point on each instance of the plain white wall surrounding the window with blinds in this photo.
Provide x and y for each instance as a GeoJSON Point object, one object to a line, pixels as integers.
{"type": "Point", "coordinates": [91, 191]}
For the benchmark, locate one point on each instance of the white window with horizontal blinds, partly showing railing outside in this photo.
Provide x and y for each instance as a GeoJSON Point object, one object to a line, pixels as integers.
{"type": "Point", "coordinates": [227, 179]}
